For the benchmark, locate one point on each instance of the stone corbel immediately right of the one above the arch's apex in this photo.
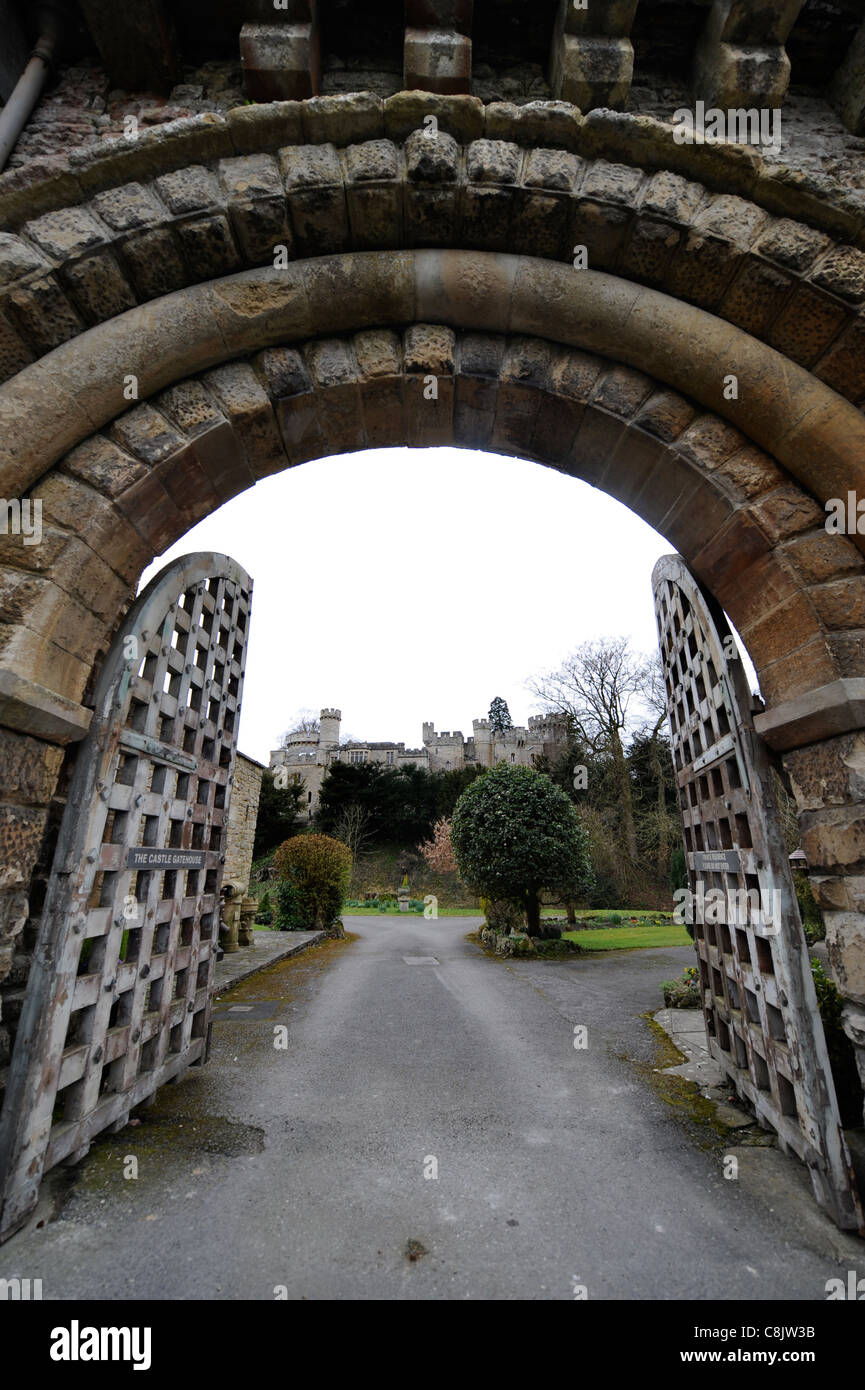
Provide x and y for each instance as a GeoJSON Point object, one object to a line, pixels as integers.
{"type": "Point", "coordinates": [593, 60]}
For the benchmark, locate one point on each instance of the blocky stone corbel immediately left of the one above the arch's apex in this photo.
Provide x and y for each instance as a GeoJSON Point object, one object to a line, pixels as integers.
{"type": "Point", "coordinates": [280, 51]}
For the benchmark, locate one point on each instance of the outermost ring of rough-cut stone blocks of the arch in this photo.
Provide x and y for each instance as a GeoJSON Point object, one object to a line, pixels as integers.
{"type": "Point", "coordinates": [339, 177]}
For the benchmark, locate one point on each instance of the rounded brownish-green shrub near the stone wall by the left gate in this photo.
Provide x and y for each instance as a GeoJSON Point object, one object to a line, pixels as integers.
{"type": "Point", "coordinates": [315, 874]}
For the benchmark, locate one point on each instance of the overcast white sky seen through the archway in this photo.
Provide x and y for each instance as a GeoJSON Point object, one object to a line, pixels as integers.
{"type": "Point", "coordinates": [412, 584]}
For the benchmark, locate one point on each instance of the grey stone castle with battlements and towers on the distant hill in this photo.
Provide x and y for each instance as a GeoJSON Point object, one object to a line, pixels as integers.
{"type": "Point", "coordinates": [309, 755]}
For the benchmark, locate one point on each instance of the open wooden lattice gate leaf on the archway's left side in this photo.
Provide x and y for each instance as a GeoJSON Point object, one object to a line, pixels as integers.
{"type": "Point", "coordinates": [119, 996]}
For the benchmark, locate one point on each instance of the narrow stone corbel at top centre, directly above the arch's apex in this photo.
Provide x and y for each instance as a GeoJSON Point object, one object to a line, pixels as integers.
{"type": "Point", "coordinates": [437, 55]}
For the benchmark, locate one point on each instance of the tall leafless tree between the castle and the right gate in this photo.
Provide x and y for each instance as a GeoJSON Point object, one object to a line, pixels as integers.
{"type": "Point", "coordinates": [604, 689]}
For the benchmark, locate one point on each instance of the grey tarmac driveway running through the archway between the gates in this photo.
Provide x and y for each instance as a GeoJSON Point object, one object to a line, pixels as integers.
{"type": "Point", "coordinates": [429, 1131]}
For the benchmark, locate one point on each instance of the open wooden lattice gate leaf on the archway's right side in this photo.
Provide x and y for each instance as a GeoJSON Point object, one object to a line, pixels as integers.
{"type": "Point", "coordinates": [759, 997]}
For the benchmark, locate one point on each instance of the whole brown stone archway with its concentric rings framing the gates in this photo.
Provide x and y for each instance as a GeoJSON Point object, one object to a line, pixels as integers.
{"type": "Point", "coordinates": [410, 288]}
